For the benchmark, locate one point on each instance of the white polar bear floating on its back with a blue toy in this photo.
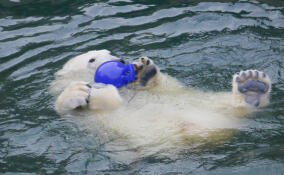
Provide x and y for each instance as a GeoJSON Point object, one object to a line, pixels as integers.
{"type": "Point", "coordinates": [155, 110]}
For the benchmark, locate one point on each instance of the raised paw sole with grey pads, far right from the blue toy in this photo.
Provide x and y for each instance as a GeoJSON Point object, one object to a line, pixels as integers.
{"type": "Point", "coordinates": [253, 86]}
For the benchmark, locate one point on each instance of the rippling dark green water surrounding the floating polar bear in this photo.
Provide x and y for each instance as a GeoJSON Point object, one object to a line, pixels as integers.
{"type": "Point", "coordinates": [200, 43]}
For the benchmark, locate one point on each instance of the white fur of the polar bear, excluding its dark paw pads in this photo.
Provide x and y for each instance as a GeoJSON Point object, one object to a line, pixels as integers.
{"type": "Point", "coordinates": [152, 119]}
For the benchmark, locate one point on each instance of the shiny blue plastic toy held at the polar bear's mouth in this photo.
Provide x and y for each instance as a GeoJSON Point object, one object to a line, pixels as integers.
{"type": "Point", "coordinates": [115, 73]}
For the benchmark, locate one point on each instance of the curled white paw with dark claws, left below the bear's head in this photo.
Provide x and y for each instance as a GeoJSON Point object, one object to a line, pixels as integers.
{"type": "Point", "coordinates": [75, 95]}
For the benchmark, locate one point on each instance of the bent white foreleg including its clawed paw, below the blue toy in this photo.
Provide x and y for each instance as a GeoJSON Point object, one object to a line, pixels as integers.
{"type": "Point", "coordinates": [83, 95]}
